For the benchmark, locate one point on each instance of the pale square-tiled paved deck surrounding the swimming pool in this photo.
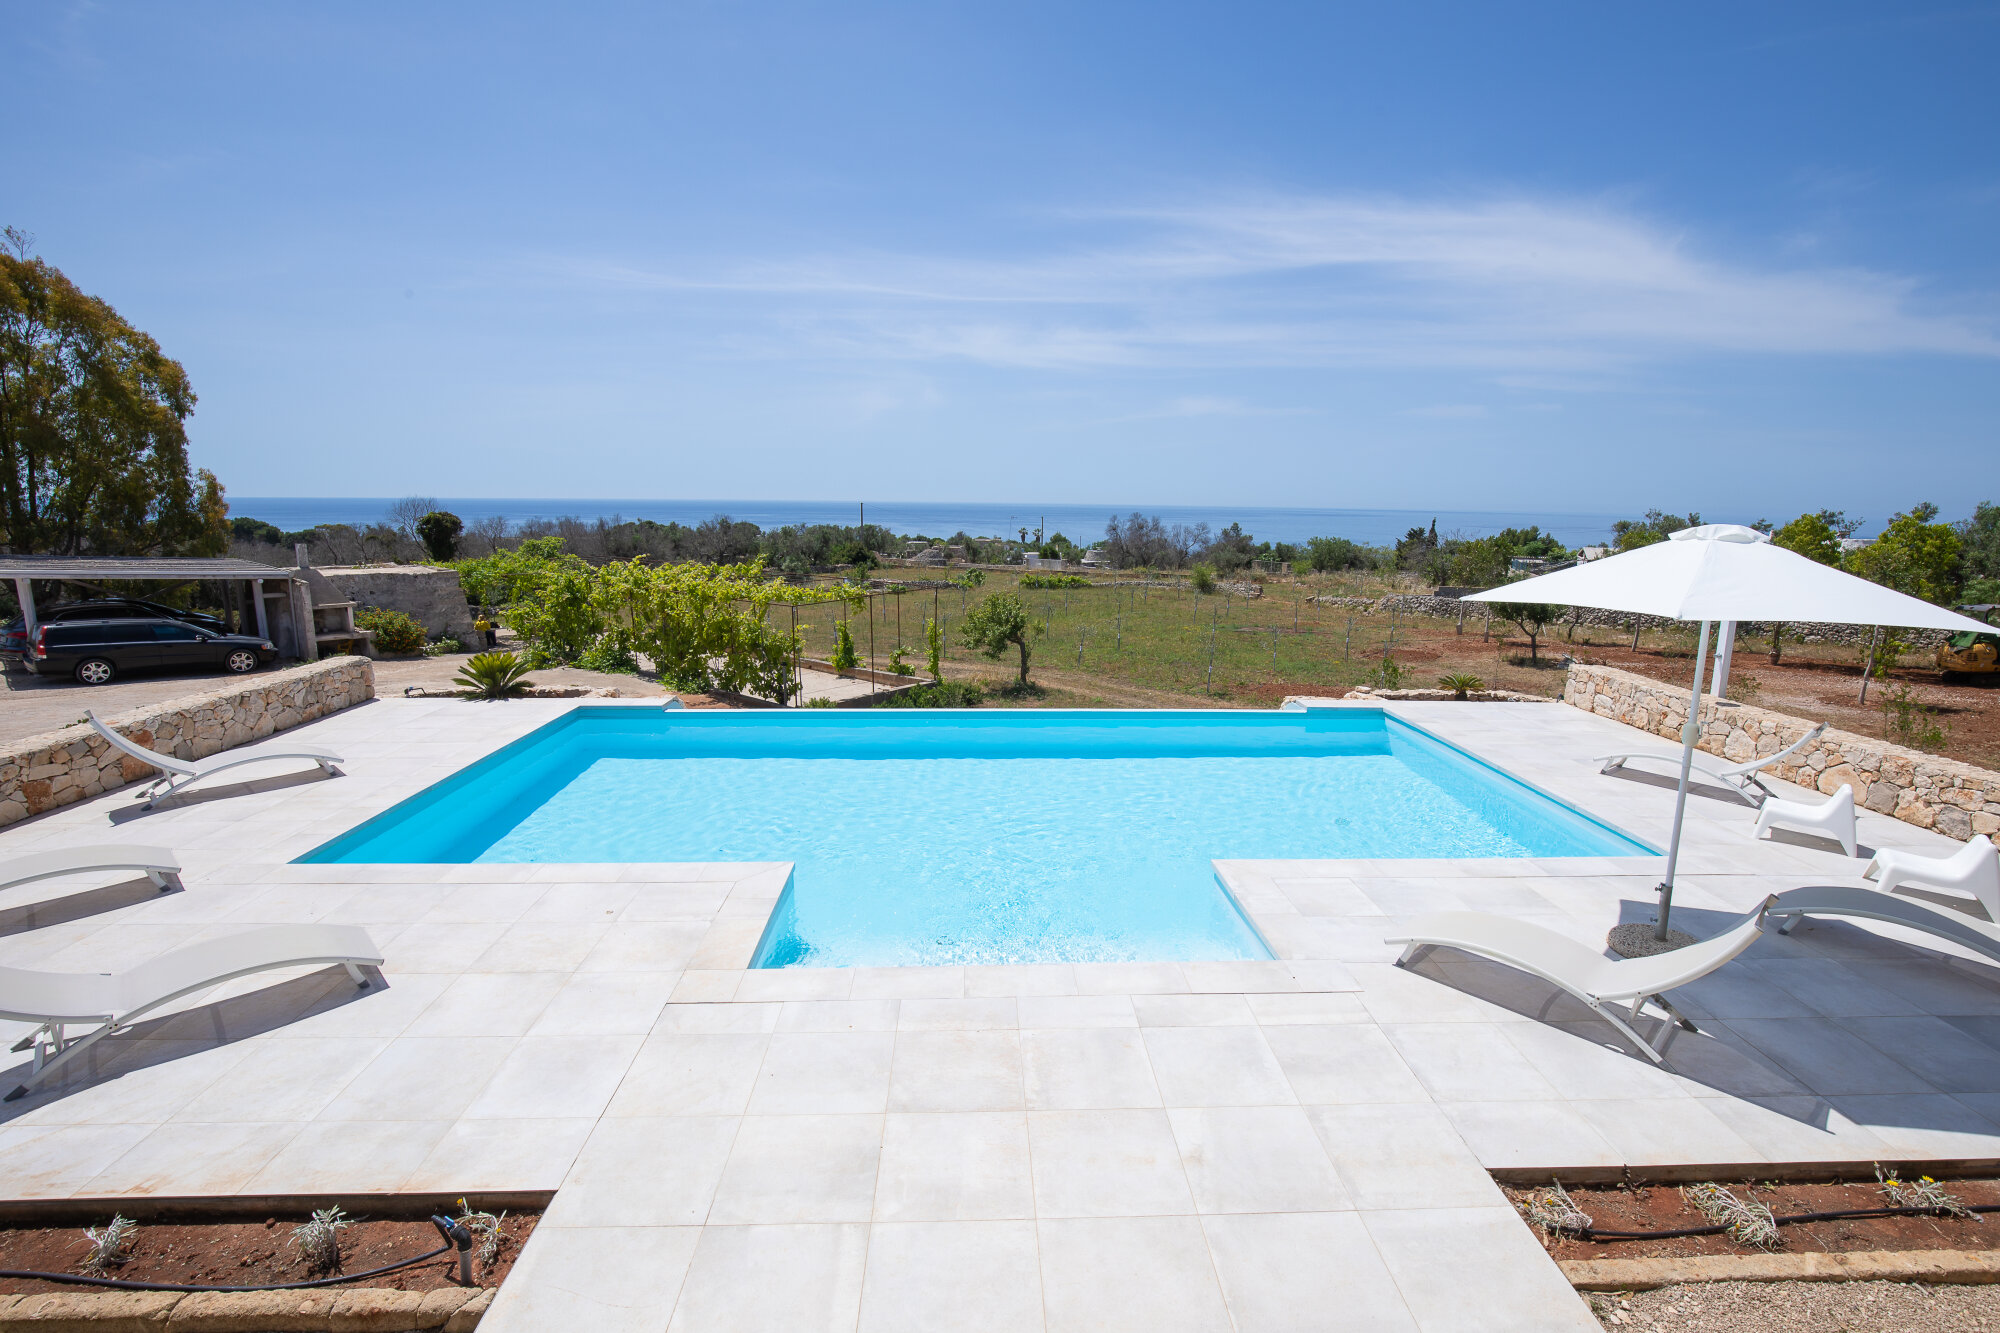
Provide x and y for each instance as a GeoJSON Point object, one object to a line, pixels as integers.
{"type": "Point", "coordinates": [1301, 1144]}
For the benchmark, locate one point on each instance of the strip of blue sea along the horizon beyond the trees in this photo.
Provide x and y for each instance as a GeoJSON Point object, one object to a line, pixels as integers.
{"type": "Point", "coordinates": [1375, 527]}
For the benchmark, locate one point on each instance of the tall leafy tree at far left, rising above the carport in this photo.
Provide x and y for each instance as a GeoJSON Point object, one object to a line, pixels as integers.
{"type": "Point", "coordinates": [93, 427]}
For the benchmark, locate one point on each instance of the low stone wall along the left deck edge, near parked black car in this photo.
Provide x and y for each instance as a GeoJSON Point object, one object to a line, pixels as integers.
{"type": "Point", "coordinates": [41, 774]}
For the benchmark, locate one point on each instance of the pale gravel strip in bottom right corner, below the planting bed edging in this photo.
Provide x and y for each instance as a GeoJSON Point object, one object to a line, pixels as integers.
{"type": "Point", "coordinates": [1803, 1308]}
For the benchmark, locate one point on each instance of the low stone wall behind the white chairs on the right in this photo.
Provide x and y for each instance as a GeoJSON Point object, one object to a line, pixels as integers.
{"type": "Point", "coordinates": [1921, 790]}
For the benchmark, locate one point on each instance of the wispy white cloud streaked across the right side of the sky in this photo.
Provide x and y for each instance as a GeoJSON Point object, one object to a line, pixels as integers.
{"type": "Point", "coordinates": [1505, 285]}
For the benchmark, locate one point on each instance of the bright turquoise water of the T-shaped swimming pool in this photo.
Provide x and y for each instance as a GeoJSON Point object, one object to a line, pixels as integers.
{"type": "Point", "coordinates": [981, 836]}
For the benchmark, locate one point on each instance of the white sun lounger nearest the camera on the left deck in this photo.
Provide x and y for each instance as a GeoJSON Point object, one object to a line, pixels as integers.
{"type": "Point", "coordinates": [113, 1002]}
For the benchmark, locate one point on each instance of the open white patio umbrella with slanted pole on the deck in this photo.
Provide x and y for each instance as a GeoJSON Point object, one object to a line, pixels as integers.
{"type": "Point", "coordinates": [1723, 573]}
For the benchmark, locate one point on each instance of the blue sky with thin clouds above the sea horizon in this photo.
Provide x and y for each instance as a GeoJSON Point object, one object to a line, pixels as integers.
{"type": "Point", "coordinates": [1553, 257]}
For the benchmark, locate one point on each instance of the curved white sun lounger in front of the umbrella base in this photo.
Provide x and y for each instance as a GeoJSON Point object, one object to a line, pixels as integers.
{"type": "Point", "coordinates": [1581, 970]}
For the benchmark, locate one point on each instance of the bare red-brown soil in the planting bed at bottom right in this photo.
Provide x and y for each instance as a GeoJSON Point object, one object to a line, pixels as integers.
{"type": "Point", "coordinates": [1663, 1208]}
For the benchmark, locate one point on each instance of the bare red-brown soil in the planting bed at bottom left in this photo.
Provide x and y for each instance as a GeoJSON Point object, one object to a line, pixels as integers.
{"type": "Point", "coordinates": [249, 1254]}
